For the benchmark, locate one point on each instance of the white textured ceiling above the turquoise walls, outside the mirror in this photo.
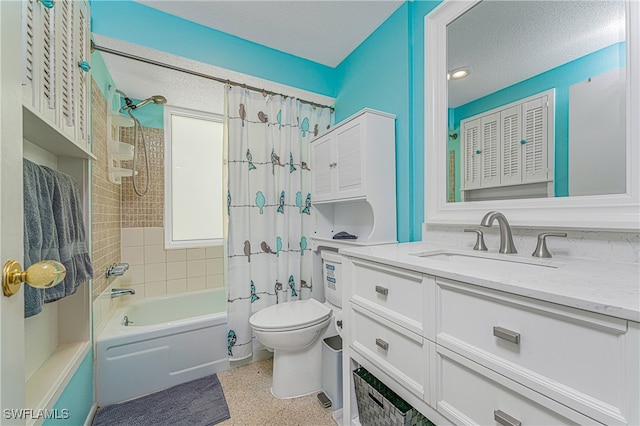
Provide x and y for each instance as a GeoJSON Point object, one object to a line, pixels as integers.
{"type": "Point", "coordinates": [319, 30]}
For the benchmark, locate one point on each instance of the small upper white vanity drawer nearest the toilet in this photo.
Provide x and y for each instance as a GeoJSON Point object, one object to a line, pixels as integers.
{"type": "Point", "coordinates": [394, 293]}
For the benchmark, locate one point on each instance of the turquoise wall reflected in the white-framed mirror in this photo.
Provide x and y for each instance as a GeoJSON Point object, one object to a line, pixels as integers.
{"type": "Point", "coordinates": [560, 79]}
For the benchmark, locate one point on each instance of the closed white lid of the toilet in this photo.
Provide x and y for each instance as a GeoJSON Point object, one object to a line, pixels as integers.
{"type": "Point", "coordinates": [290, 315]}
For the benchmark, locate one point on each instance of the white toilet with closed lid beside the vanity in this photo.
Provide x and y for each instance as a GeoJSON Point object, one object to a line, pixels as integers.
{"type": "Point", "coordinates": [294, 330]}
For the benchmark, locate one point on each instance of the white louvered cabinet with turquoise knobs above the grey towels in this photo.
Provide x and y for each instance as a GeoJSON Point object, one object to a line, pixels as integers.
{"type": "Point", "coordinates": [55, 65]}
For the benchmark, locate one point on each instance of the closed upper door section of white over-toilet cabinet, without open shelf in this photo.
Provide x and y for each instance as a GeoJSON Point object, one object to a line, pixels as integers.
{"type": "Point", "coordinates": [354, 158]}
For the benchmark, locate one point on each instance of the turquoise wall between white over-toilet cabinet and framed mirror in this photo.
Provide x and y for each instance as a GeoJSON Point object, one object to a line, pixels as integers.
{"type": "Point", "coordinates": [386, 72]}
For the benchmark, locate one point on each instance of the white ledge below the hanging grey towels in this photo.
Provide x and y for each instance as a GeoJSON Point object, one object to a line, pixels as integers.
{"type": "Point", "coordinates": [45, 386]}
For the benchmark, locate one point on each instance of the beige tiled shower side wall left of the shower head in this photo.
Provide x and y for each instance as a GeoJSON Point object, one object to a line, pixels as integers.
{"type": "Point", "coordinates": [105, 202]}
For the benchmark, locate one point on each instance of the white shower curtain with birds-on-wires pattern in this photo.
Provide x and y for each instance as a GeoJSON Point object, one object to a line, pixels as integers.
{"type": "Point", "coordinates": [269, 206]}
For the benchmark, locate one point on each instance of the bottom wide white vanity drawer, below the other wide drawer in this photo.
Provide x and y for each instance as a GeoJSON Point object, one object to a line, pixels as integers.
{"type": "Point", "coordinates": [471, 394]}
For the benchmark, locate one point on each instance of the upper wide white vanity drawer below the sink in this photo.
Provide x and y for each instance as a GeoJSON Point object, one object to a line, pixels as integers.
{"type": "Point", "coordinates": [569, 355]}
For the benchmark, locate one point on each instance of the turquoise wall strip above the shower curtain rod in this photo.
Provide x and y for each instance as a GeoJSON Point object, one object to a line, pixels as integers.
{"type": "Point", "coordinates": [142, 25]}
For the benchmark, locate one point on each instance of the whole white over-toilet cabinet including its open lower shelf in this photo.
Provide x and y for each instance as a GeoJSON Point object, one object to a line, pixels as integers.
{"type": "Point", "coordinates": [353, 178]}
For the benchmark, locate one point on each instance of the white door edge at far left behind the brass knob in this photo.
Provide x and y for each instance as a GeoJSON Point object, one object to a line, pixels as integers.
{"type": "Point", "coordinates": [12, 379]}
